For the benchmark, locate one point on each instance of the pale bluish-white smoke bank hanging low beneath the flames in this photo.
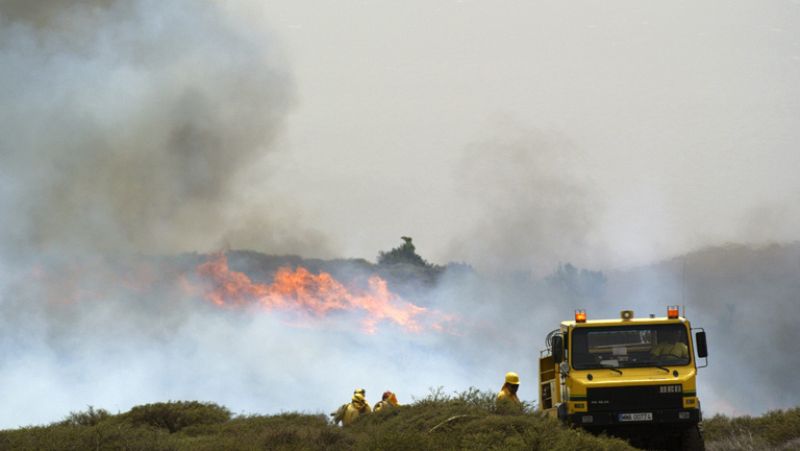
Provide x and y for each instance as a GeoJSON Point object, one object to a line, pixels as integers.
{"type": "Point", "coordinates": [117, 333]}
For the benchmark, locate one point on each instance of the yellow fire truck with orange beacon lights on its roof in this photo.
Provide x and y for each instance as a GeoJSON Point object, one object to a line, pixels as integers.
{"type": "Point", "coordinates": [630, 377]}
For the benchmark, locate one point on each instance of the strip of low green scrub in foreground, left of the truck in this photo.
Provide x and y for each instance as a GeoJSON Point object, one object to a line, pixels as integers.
{"type": "Point", "coordinates": [469, 420]}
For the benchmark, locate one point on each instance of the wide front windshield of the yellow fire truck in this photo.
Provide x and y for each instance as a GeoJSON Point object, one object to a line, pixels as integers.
{"type": "Point", "coordinates": [629, 346]}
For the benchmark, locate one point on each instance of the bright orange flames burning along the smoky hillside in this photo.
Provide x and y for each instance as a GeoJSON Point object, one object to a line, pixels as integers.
{"type": "Point", "coordinates": [315, 294]}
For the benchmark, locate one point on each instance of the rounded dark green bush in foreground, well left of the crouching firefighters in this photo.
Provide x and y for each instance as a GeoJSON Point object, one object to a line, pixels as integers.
{"type": "Point", "coordinates": [174, 416]}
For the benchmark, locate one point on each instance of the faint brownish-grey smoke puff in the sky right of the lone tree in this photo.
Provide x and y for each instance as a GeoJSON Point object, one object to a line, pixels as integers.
{"type": "Point", "coordinates": [530, 202]}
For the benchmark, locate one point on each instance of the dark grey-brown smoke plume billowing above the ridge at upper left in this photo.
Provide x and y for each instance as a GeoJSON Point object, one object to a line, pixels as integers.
{"type": "Point", "coordinates": [136, 126]}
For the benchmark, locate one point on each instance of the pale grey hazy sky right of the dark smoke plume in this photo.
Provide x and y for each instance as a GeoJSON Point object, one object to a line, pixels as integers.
{"type": "Point", "coordinates": [673, 122]}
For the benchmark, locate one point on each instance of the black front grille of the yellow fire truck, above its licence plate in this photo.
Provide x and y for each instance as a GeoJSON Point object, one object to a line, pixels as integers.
{"type": "Point", "coordinates": [634, 398]}
